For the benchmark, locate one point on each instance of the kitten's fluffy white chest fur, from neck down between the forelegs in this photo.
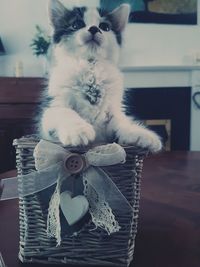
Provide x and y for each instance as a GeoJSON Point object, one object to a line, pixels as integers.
{"type": "Point", "coordinates": [90, 89]}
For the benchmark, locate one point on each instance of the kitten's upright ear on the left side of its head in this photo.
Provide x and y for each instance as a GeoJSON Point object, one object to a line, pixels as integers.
{"type": "Point", "coordinates": [56, 11]}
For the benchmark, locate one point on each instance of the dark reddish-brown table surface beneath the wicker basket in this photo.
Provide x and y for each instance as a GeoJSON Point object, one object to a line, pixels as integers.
{"type": "Point", "coordinates": [169, 222]}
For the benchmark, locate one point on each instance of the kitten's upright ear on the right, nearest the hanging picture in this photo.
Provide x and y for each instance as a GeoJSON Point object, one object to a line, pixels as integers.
{"type": "Point", "coordinates": [119, 17]}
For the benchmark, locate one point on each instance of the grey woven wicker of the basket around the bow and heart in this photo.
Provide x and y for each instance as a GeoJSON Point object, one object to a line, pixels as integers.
{"type": "Point", "coordinates": [95, 247]}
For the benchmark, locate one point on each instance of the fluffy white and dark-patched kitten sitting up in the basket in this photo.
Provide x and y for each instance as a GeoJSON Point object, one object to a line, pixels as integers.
{"type": "Point", "coordinates": [85, 85]}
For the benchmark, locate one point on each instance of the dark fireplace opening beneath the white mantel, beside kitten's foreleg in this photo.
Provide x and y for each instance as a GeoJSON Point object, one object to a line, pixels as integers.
{"type": "Point", "coordinates": [166, 110]}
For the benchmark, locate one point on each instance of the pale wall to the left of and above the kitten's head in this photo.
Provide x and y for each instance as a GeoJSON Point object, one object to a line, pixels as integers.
{"type": "Point", "coordinates": [17, 27]}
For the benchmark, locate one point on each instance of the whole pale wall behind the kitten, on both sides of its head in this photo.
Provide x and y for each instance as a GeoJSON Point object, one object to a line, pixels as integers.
{"type": "Point", "coordinates": [144, 44]}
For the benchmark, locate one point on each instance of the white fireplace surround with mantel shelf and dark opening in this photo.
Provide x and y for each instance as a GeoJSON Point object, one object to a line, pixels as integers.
{"type": "Point", "coordinates": [177, 85]}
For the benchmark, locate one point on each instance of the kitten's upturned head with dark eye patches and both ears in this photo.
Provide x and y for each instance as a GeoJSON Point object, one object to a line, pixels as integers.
{"type": "Point", "coordinates": [86, 32]}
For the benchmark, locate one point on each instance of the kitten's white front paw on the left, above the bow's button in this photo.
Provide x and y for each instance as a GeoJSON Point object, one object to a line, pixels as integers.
{"type": "Point", "coordinates": [79, 134]}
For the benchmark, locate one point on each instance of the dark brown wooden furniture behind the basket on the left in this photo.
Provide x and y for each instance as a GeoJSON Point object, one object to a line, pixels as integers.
{"type": "Point", "coordinates": [18, 100]}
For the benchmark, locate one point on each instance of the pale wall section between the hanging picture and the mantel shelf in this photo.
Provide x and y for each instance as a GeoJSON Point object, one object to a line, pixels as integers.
{"type": "Point", "coordinates": [155, 44]}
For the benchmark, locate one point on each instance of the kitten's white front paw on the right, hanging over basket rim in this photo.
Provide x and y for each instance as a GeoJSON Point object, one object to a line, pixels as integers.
{"type": "Point", "coordinates": [141, 137]}
